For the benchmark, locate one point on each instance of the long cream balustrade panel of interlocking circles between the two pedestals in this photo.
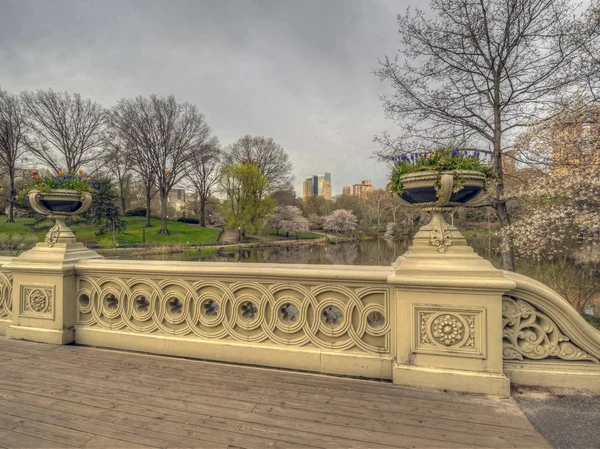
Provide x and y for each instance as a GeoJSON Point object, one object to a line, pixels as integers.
{"type": "Point", "coordinates": [330, 317]}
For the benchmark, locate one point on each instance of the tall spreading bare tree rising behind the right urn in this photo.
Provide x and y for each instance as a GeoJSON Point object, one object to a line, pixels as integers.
{"type": "Point", "coordinates": [480, 70]}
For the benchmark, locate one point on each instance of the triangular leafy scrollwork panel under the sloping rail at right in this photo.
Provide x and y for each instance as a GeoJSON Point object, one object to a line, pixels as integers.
{"type": "Point", "coordinates": [528, 333]}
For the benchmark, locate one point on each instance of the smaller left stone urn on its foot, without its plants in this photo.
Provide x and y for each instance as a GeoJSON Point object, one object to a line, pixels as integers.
{"type": "Point", "coordinates": [59, 205]}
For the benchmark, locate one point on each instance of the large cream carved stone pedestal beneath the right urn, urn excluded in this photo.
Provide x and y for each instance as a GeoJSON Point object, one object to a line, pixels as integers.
{"type": "Point", "coordinates": [449, 314]}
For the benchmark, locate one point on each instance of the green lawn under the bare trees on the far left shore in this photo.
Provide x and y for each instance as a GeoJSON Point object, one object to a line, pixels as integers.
{"type": "Point", "coordinates": [179, 232]}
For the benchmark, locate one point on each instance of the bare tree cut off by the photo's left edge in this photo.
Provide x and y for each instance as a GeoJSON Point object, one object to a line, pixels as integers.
{"type": "Point", "coordinates": [12, 129]}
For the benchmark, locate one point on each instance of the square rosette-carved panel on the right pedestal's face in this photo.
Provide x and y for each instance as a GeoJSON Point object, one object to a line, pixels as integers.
{"type": "Point", "coordinates": [440, 329]}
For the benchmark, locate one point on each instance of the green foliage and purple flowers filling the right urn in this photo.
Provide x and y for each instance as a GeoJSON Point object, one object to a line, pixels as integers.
{"type": "Point", "coordinates": [442, 159]}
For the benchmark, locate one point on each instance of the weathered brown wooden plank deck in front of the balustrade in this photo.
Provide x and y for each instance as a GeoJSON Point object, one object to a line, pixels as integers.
{"type": "Point", "coordinates": [73, 396]}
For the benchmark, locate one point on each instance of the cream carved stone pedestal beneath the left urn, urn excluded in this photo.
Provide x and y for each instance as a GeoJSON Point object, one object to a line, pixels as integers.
{"type": "Point", "coordinates": [43, 294]}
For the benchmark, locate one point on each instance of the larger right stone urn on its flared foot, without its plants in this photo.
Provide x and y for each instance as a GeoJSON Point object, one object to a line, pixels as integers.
{"type": "Point", "coordinates": [439, 192]}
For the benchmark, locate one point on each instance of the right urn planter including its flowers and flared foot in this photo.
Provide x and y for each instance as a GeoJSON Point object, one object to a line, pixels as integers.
{"type": "Point", "coordinates": [438, 182]}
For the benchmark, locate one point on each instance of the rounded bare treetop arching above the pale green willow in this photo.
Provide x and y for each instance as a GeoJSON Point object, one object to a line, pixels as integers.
{"type": "Point", "coordinates": [270, 157]}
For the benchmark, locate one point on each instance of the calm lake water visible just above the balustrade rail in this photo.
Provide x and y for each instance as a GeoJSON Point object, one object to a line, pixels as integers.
{"type": "Point", "coordinates": [377, 251]}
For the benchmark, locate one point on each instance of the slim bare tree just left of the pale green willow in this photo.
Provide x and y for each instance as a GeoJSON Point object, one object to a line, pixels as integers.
{"type": "Point", "coordinates": [203, 173]}
